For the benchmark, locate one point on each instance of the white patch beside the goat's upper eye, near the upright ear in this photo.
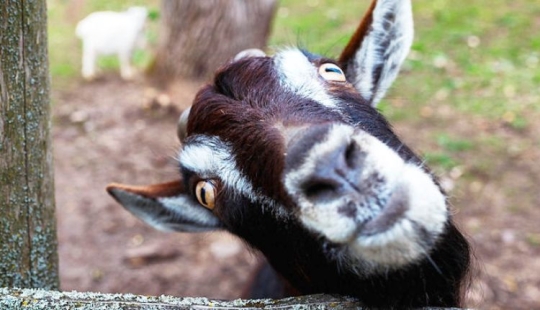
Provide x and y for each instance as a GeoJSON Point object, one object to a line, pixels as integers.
{"type": "Point", "coordinates": [299, 75]}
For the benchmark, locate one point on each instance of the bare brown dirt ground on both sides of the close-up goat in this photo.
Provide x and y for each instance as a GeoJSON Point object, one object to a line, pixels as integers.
{"type": "Point", "coordinates": [105, 131]}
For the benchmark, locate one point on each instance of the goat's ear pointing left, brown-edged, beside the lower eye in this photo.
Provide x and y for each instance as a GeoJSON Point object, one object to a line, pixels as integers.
{"type": "Point", "coordinates": [165, 206]}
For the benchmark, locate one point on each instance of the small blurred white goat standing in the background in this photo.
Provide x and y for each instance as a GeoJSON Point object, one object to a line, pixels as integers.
{"type": "Point", "coordinates": [109, 33]}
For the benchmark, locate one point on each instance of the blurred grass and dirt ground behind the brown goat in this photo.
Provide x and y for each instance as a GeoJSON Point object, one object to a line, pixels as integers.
{"type": "Point", "coordinates": [467, 99]}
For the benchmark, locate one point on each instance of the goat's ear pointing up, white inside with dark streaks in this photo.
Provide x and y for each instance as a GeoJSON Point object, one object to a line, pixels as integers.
{"type": "Point", "coordinates": [372, 58]}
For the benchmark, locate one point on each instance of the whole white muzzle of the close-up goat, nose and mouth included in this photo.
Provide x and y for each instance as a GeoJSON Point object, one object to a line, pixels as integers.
{"type": "Point", "coordinates": [359, 194]}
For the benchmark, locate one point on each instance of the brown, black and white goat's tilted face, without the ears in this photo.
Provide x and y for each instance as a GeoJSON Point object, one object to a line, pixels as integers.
{"type": "Point", "coordinates": [292, 136]}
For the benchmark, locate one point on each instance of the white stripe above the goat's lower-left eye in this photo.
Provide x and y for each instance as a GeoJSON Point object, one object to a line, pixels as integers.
{"type": "Point", "coordinates": [209, 157]}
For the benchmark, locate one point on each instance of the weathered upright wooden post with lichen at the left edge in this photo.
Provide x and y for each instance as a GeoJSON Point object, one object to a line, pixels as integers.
{"type": "Point", "coordinates": [28, 246]}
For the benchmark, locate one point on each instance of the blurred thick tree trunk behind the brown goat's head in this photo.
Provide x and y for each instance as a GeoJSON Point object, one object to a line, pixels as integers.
{"type": "Point", "coordinates": [198, 36]}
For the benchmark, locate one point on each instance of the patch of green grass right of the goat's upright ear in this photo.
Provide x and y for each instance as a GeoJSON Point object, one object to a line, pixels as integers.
{"type": "Point", "coordinates": [490, 54]}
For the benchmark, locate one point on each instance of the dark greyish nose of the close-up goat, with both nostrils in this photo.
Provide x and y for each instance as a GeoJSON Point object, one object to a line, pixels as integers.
{"type": "Point", "coordinates": [326, 164]}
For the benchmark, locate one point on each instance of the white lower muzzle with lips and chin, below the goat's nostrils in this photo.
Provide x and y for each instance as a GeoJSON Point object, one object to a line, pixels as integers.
{"type": "Point", "coordinates": [401, 231]}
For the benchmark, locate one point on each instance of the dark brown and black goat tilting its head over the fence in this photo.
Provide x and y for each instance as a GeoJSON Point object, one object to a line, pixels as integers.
{"type": "Point", "coordinates": [290, 154]}
